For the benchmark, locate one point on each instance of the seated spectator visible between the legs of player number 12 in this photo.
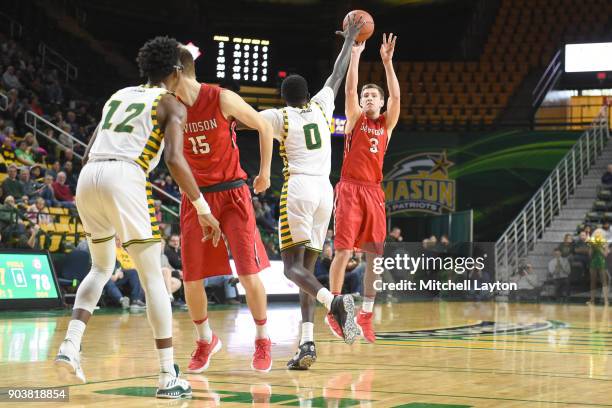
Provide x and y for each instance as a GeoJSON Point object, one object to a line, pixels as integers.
{"type": "Point", "coordinates": [125, 275]}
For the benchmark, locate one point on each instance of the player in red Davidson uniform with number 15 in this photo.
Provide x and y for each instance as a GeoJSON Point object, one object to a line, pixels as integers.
{"type": "Point", "coordinates": [211, 151]}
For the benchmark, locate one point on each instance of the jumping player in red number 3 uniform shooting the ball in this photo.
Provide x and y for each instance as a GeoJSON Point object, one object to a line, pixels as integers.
{"type": "Point", "coordinates": [360, 220]}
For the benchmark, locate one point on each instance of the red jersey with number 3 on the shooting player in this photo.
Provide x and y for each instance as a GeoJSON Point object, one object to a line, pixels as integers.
{"type": "Point", "coordinates": [364, 150]}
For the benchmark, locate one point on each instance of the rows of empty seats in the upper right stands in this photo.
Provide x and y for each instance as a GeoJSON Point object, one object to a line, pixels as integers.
{"type": "Point", "coordinates": [523, 39]}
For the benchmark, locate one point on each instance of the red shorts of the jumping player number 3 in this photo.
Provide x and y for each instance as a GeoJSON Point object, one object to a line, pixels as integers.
{"type": "Point", "coordinates": [360, 218]}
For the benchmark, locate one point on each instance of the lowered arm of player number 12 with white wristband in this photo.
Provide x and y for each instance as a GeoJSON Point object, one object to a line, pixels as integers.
{"type": "Point", "coordinates": [172, 115]}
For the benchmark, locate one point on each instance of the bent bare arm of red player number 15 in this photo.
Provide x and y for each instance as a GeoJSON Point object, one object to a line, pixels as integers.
{"type": "Point", "coordinates": [233, 105]}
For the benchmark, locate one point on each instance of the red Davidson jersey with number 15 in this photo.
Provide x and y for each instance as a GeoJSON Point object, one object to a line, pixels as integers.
{"type": "Point", "coordinates": [209, 141]}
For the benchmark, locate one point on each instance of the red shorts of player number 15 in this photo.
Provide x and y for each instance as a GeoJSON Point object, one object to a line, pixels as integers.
{"type": "Point", "coordinates": [234, 211]}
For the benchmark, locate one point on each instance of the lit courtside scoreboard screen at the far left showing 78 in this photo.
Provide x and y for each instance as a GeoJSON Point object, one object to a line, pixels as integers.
{"type": "Point", "coordinates": [27, 281]}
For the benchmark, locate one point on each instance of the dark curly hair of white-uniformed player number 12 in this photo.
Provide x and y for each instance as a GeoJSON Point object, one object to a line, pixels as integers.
{"type": "Point", "coordinates": [158, 57]}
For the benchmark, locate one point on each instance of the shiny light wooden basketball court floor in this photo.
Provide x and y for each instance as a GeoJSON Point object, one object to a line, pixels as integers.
{"type": "Point", "coordinates": [534, 356]}
